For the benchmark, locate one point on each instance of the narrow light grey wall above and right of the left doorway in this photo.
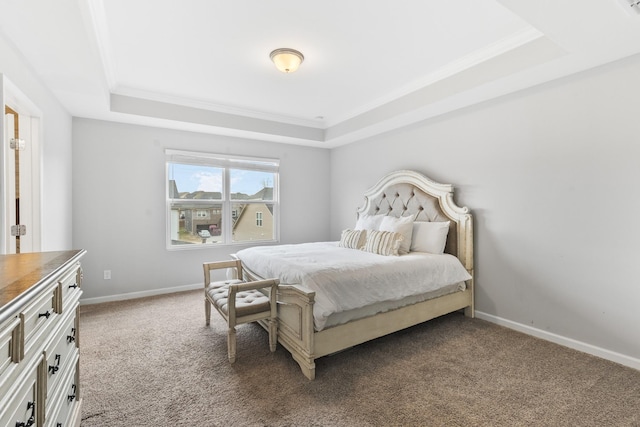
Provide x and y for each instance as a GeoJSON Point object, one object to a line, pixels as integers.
{"type": "Point", "coordinates": [56, 149]}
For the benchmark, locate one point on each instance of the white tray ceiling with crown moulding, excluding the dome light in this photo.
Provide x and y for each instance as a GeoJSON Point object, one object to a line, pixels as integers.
{"type": "Point", "coordinates": [370, 65]}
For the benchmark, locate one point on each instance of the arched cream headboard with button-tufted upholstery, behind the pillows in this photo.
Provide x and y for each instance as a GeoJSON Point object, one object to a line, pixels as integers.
{"type": "Point", "coordinates": [409, 193]}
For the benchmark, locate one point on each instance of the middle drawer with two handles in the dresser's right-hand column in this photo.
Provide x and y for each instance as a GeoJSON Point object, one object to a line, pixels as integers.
{"type": "Point", "coordinates": [60, 353]}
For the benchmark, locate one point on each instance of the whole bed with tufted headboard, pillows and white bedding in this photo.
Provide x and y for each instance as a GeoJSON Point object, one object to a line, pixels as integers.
{"type": "Point", "coordinates": [309, 330]}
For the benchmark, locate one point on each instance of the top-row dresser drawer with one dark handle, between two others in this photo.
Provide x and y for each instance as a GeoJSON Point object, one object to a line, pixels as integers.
{"type": "Point", "coordinates": [38, 317]}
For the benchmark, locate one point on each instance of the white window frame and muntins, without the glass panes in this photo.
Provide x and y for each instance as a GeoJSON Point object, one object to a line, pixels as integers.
{"type": "Point", "coordinates": [227, 203]}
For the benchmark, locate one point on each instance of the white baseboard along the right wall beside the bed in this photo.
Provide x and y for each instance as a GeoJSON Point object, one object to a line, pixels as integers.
{"type": "Point", "coordinates": [564, 341]}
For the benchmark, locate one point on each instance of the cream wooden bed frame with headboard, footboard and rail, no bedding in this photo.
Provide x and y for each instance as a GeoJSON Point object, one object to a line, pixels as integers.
{"type": "Point", "coordinates": [400, 193]}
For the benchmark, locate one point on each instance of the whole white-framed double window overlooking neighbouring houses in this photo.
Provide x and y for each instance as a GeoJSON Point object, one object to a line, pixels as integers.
{"type": "Point", "coordinates": [220, 199]}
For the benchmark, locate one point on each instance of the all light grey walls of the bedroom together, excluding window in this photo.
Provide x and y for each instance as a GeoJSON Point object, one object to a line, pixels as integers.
{"type": "Point", "coordinates": [550, 174]}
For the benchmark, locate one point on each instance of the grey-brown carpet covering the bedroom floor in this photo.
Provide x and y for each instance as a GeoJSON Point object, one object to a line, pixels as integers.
{"type": "Point", "coordinates": [153, 362]}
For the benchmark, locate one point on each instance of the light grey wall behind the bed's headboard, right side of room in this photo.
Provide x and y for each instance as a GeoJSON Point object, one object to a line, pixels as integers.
{"type": "Point", "coordinates": [551, 175]}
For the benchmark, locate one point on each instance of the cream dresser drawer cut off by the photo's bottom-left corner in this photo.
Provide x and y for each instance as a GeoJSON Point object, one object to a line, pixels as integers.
{"type": "Point", "coordinates": [21, 407]}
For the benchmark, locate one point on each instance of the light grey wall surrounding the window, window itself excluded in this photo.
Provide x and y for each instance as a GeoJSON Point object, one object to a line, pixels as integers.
{"type": "Point", "coordinates": [119, 204]}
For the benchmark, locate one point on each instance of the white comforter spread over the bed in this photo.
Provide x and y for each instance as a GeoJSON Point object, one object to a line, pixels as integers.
{"type": "Point", "coordinates": [345, 279]}
